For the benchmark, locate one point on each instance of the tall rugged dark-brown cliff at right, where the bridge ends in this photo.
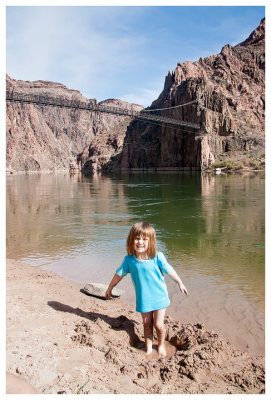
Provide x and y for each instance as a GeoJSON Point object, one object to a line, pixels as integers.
{"type": "Point", "coordinates": [230, 89]}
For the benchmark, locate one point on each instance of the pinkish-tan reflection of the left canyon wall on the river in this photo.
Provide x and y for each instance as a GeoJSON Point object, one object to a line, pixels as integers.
{"type": "Point", "coordinates": [52, 215]}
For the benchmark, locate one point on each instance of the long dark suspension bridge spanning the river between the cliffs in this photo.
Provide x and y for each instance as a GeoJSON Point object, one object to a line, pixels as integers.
{"type": "Point", "coordinates": [144, 115]}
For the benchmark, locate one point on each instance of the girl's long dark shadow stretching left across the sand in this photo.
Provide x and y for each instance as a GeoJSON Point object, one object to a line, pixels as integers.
{"type": "Point", "coordinates": [116, 323]}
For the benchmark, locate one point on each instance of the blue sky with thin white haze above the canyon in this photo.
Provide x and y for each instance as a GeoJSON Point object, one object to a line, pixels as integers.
{"type": "Point", "coordinates": [120, 51]}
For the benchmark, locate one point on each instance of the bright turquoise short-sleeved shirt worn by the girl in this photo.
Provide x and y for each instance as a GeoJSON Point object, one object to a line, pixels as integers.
{"type": "Point", "coordinates": [148, 279]}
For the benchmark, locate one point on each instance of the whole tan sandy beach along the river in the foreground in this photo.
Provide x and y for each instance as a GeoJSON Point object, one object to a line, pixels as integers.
{"type": "Point", "coordinates": [60, 340]}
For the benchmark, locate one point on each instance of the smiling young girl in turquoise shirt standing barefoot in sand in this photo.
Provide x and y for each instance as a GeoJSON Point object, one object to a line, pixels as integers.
{"type": "Point", "coordinates": [147, 268]}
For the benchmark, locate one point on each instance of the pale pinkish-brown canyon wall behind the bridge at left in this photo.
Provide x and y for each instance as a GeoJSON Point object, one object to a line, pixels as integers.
{"type": "Point", "coordinates": [47, 138]}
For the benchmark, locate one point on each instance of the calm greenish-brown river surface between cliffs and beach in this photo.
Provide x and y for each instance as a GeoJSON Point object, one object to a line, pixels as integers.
{"type": "Point", "coordinates": [211, 229]}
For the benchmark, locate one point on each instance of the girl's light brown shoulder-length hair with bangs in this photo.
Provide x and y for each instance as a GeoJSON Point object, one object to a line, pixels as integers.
{"type": "Point", "coordinates": [142, 229]}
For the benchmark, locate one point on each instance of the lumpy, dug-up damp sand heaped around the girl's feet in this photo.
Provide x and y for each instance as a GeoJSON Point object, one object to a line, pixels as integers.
{"type": "Point", "coordinates": [203, 362]}
